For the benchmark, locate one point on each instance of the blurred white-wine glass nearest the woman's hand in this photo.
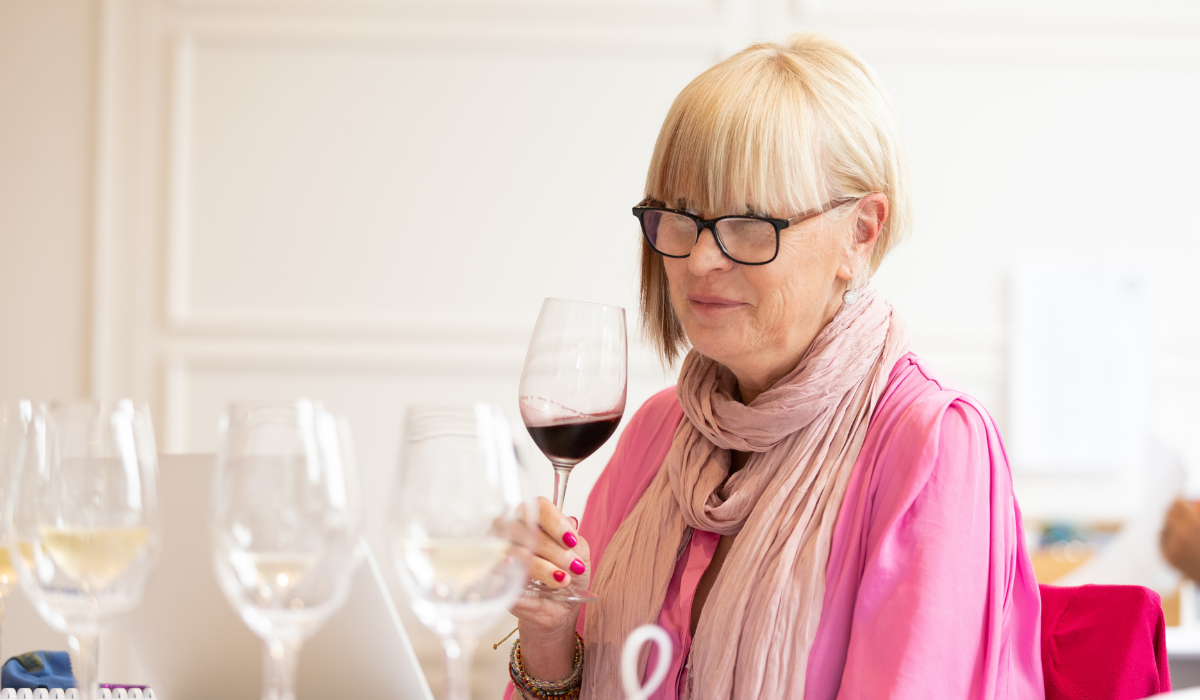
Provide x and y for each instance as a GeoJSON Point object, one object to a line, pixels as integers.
{"type": "Point", "coordinates": [455, 528]}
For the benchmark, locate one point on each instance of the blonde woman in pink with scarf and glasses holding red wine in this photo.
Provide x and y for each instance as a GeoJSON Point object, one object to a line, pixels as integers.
{"type": "Point", "coordinates": [812, 512]}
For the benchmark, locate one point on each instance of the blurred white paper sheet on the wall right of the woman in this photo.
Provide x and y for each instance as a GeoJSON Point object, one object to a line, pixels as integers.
{"type": "Point", "coordinates": [1081, 360]}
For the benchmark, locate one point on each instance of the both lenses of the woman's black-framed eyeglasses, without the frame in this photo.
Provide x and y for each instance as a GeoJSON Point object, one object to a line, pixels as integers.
{"type": "Point", "coordinates": [747, 241]}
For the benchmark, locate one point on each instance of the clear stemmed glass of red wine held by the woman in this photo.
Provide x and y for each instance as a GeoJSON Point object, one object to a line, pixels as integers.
{"type": "Point", "coordinates": [573, 393]}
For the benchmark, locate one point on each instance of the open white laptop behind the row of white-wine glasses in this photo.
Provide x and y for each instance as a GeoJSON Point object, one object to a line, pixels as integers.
{"type": "Point", "coordinates": [194, 647]}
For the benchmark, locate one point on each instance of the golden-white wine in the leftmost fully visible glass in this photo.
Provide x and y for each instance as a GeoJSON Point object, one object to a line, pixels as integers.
{"type": "Point", "coordinates": [94, 557]}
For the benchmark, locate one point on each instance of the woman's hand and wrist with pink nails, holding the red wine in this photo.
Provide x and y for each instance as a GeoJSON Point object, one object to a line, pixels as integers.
{"type": "Point", "coordinates": [557, 557]}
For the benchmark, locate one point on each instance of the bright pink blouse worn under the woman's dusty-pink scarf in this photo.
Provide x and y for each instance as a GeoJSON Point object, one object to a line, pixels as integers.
{"type": "Point", "coordinates": [929, 590]}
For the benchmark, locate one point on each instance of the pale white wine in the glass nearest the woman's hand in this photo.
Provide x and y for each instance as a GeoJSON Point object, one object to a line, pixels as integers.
{"type": "Point", "coordinates": [449, 567]}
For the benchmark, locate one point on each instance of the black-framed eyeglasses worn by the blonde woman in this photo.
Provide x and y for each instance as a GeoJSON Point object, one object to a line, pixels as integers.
{"type": "Point", "coordinates": [747, 241]}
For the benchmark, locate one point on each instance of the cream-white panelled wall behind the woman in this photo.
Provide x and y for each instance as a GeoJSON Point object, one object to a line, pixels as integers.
{"type": "Point", "coordinates": [367, 201]}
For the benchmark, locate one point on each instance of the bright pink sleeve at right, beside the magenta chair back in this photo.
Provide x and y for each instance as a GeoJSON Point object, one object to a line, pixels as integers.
{"type": "Point", "coordinates": [946, 581]}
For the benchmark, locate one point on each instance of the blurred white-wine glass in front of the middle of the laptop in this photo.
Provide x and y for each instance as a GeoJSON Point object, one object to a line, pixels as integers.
{"type": "Point", "coordinates": [286, 523]}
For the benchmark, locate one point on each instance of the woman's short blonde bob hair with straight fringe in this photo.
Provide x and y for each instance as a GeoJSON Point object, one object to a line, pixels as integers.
{"type": "Point", "coordinates": [779, 130]}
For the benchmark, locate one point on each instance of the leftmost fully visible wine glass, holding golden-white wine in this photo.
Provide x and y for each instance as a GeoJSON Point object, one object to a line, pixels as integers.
{"type": "Point", "coordinates": [85, 524]}
